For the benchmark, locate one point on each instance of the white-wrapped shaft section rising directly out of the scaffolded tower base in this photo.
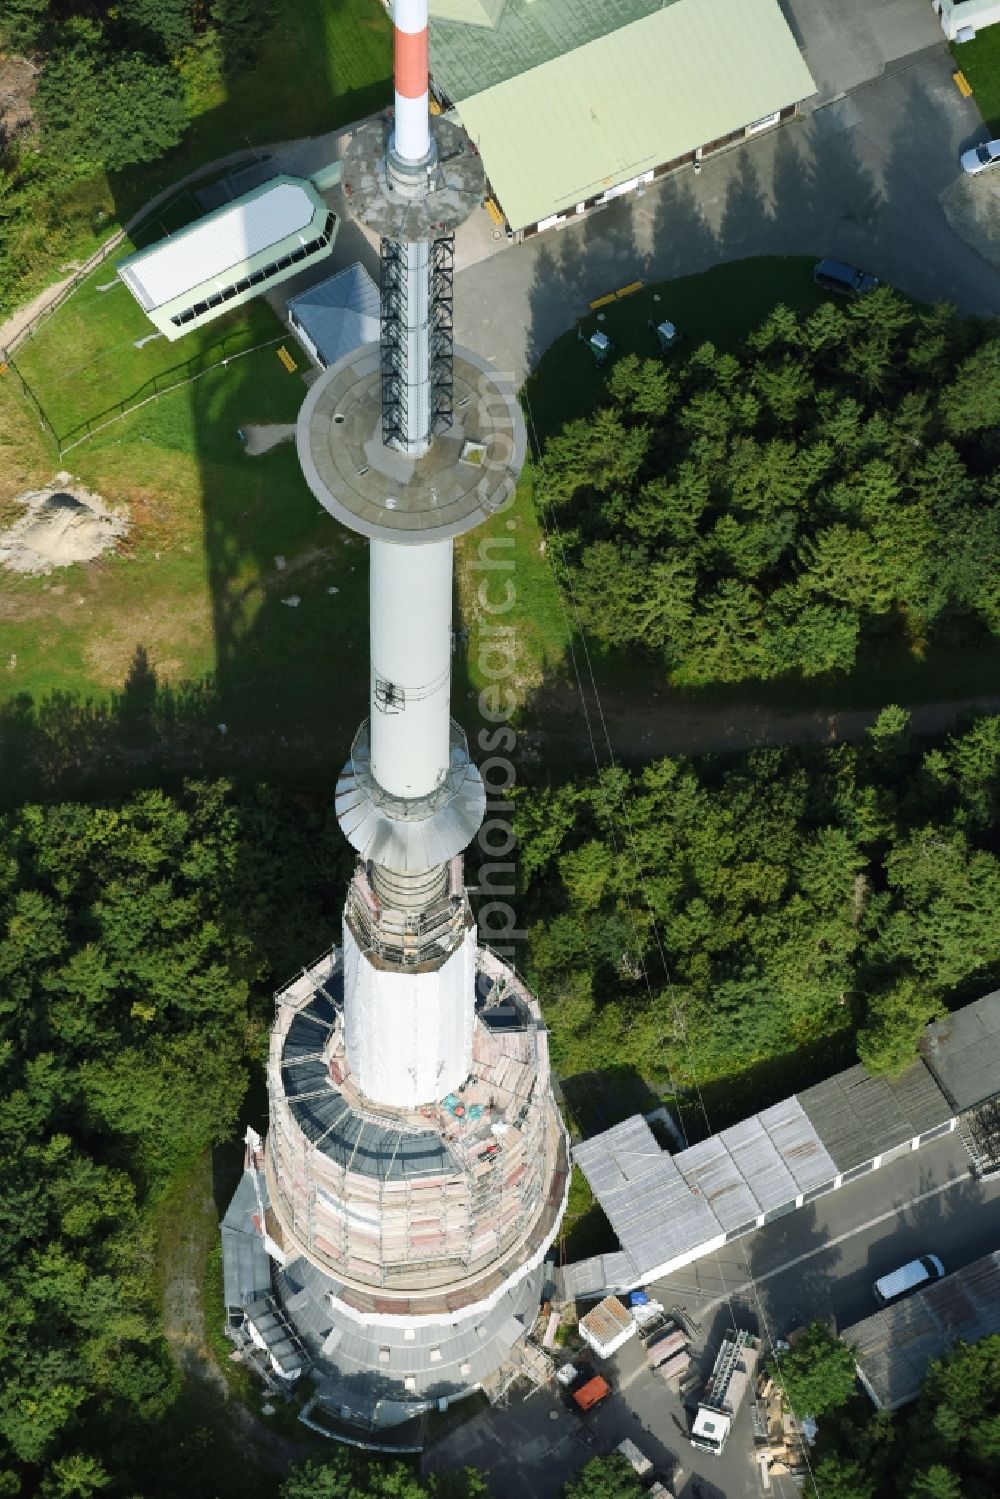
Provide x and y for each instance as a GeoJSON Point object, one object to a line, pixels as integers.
{"type": "Point", "coordinates": [409, 1035]}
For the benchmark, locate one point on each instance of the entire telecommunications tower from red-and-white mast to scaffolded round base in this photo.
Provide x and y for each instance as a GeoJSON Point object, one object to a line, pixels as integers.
{"type": "Point", "coordinates": [389, 1236]}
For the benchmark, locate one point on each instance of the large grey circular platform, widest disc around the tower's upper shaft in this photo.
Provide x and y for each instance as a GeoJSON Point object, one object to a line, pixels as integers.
{"type": "Point", "coordinates": [469, 474]}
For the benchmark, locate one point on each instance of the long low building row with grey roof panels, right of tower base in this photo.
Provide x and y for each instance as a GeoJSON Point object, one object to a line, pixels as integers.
{"type": "Point", "coordinates": [669, 1210]}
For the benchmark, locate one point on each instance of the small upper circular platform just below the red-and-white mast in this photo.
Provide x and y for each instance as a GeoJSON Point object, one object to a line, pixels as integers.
{"type": "Point", "coordinates": [449, 194]}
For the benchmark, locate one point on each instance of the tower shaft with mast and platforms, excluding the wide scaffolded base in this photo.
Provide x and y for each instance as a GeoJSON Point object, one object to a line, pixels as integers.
{"type": "Point", "coordinates": [383, 438]}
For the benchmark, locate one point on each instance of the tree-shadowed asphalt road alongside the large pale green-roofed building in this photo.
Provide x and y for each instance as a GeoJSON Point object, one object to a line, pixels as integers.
{"type": "Point", "coordinates": [866, 178]}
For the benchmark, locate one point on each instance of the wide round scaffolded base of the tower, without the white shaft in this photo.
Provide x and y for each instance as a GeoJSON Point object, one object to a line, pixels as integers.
{"type": "Point", "coordinates": [397, 1257]}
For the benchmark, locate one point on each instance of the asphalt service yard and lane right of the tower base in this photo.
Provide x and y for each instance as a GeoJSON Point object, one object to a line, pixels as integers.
{"type": "Point", "coordinates": [816, 1263]}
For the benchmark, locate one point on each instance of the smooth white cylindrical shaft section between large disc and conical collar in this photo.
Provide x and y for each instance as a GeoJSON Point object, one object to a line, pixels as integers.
{"type": "Point", "coordinates": [412, 666]}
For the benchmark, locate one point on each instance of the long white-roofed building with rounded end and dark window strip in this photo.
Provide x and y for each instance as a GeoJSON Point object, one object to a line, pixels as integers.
{"type": "Point", "coordinates": [230, 256]}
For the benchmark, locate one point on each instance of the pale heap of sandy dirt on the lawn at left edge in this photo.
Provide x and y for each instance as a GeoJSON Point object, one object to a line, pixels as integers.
{"type": "Point", "coordinates": [61, 525]}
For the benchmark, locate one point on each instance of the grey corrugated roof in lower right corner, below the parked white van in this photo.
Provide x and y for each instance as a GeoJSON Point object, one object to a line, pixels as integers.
{"type": "Point", "coordinates": [896, 1345]}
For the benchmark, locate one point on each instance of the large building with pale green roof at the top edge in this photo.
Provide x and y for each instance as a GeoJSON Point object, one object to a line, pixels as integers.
{"type": "Point", "coordinates": [572, 103]}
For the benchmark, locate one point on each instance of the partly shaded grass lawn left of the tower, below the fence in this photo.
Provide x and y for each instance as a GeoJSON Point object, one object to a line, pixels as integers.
{"type": "Point", "coordinates": [200, 596]}
